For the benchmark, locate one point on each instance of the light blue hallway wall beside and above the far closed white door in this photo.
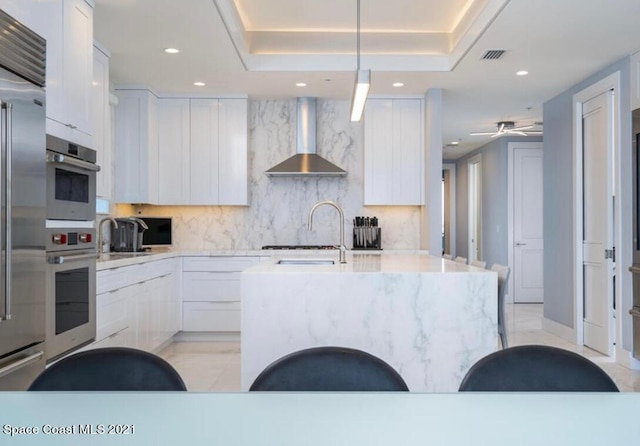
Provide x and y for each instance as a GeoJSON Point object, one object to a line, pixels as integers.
{"type": "Point", "coordinates": [494, 200]}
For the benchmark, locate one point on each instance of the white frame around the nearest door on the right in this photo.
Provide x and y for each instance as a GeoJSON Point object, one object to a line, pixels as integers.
{"type": "Point", "coordinates": [611, 82]}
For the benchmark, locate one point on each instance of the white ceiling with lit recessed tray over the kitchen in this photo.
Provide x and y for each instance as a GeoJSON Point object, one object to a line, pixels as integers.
{"type": "Point", "coordinates": [262, 48]}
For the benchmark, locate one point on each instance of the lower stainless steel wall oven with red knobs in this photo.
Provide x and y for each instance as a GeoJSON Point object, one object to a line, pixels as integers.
{"type": "Point", "coordinates": [71, 289]}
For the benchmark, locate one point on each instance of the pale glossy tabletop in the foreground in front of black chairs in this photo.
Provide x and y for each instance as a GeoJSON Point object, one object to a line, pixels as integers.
{"type": "Point", "coordinates": [321, 419]}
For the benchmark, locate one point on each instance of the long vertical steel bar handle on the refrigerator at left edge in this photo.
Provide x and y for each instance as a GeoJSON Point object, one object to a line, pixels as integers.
{"type": "Point", "coordinates": [5, 189]}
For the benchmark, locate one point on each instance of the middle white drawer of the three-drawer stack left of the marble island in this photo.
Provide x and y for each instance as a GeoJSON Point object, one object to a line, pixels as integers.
{"type": "Point", "coordinates": [210, 286]}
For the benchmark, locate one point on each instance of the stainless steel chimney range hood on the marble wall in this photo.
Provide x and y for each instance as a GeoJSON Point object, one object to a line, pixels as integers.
{"type": "Point", "coordinates": [306, 162]}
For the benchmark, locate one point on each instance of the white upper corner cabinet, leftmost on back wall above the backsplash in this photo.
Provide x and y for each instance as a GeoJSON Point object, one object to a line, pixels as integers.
{"type": "Point", "coordinates": [136, 147]}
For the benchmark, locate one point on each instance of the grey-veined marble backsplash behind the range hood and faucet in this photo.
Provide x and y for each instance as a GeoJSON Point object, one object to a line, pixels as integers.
{"type": "Point", "coordinates": [279, 207]}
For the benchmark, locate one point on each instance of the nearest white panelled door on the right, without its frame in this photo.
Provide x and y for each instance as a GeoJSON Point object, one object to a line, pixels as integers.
{"type": "Point", "coordinates": [598, 223]}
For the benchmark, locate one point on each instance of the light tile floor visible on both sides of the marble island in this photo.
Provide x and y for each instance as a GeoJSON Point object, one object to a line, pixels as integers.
{"type": "Point", "coordinates": [215, 366]}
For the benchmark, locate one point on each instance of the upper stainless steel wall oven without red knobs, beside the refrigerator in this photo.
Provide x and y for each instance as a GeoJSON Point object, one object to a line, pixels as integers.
{"type": "Point", "coordinates": [71, 181]}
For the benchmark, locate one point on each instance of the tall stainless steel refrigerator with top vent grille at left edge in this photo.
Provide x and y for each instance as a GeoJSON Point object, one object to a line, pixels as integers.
{"type": "Point", "coordinates": [22, 200]}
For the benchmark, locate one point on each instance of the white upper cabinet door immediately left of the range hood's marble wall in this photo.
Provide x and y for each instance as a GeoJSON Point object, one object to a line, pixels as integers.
{"type": "Point", "coordinates": [233, 152]}
